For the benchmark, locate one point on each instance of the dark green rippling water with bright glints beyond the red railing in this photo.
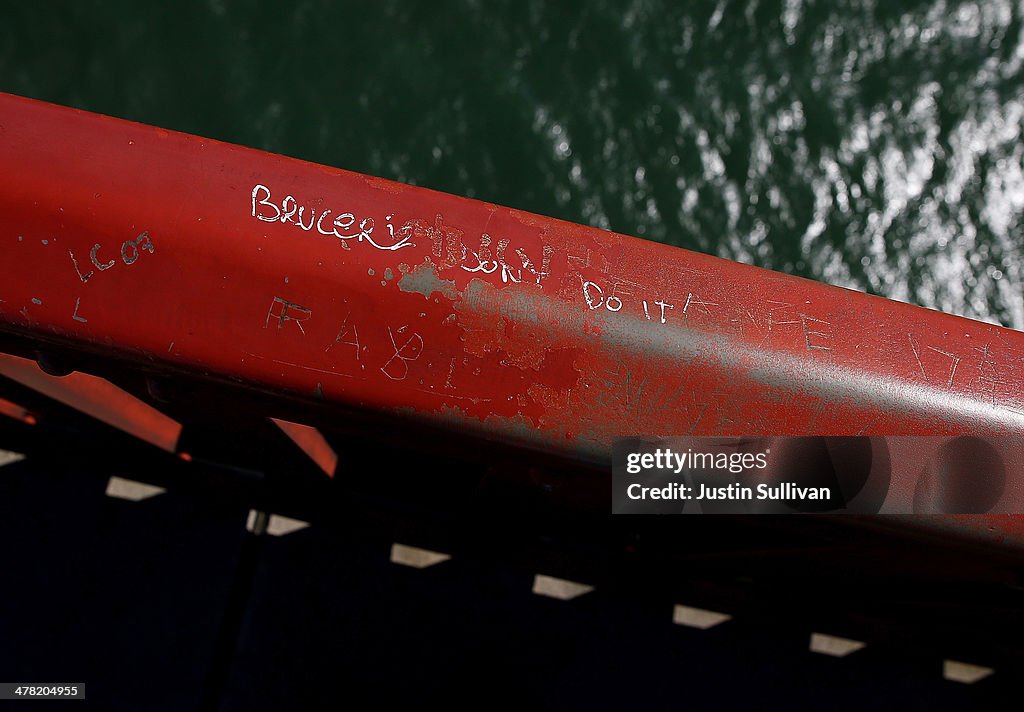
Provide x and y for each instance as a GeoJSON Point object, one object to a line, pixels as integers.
{"type": "Point", "coordinates": [876, 146]}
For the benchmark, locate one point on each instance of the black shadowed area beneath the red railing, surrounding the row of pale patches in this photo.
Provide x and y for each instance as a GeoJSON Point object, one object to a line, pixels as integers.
{"type": "Point", "coordinates": [170, 604]}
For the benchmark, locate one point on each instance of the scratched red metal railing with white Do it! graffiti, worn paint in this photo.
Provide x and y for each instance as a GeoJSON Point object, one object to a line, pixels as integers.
{"type": "Point", "coordinates": [184, 254]}
